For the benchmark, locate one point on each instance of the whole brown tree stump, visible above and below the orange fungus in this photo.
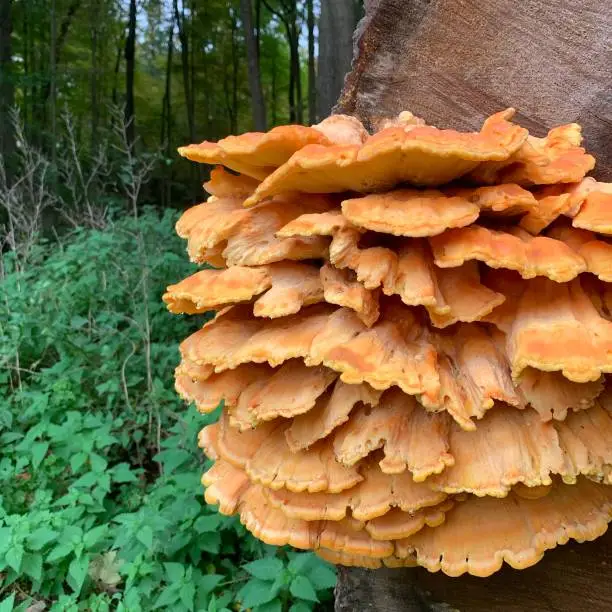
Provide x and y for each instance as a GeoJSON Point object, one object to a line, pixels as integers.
{"type": "Point", "coordinates": [454, 62]}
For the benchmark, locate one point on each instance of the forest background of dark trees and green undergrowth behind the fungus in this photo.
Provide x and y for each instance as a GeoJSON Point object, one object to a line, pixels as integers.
{"type": "Point", "coordinates": [101, 504]}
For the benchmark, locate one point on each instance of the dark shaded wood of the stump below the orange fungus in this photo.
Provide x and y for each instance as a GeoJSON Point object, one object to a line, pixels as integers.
{"type": "Point", "coordinates": [571, 578]}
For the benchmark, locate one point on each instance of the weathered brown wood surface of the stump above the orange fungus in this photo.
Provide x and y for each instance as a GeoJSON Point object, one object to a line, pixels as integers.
{"type": "Point", "coordinates": [455, 61]}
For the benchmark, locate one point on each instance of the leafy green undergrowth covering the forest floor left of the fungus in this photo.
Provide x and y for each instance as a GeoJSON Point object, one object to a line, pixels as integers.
{"type": "Point", "coordinates": [101, 506]}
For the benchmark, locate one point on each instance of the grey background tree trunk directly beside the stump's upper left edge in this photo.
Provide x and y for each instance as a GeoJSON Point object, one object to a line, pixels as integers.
{"type": "Point", "coordinates": [335, 50]}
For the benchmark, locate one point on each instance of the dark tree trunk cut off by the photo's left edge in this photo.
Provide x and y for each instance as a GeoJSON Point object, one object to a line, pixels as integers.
{"type": "Point", "coordinates": [7, 87]}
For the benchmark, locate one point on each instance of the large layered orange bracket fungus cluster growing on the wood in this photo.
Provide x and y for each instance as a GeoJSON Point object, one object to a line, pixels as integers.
{"type": "Point", "coordinates": [411, 344]}
